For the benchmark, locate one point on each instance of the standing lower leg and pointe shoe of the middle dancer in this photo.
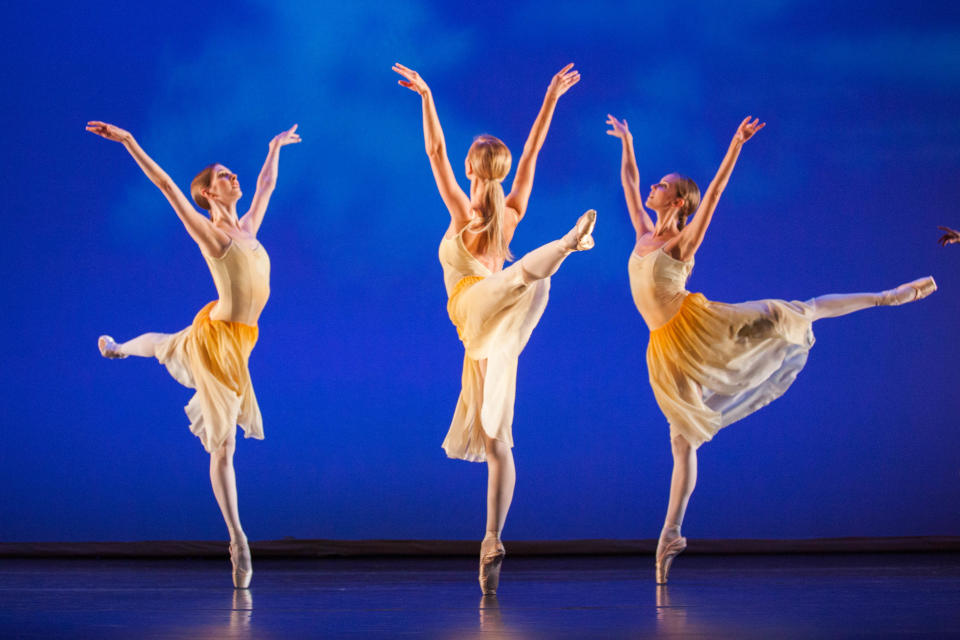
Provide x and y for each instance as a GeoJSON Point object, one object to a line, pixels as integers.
{"type": "Point", "coordinates": [501, 479]}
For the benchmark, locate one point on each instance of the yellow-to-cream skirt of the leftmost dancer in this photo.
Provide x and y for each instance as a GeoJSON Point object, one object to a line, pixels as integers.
{"type": "Point", "coordinates": [212, 357]}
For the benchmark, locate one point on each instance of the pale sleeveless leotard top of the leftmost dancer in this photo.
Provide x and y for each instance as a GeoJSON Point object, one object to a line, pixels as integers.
{"type": "Point", "coordinates": [242, 279]}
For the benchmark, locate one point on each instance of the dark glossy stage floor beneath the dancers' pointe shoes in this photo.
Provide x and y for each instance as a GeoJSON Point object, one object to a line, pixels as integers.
{"type": "Point", "coordinates": [773, 596]}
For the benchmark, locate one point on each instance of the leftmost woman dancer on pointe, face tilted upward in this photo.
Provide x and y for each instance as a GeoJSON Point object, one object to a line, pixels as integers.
{"type": "Point", "coordinates": [211, 355]}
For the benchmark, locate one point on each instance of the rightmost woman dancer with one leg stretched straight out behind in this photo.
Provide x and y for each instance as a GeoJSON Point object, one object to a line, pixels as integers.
{"type": "Point", "coordinates": [710, 363]}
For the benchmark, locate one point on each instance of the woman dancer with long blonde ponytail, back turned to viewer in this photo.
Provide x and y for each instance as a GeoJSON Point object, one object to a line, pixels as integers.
{"type": "Point", "coordinates": [494, 309]}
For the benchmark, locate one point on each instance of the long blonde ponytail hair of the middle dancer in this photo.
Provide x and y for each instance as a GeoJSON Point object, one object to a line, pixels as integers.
{"type": "Point", "coordinates": [490, 160]}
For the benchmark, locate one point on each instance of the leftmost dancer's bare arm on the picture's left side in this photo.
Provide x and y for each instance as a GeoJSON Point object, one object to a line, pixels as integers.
{"type": "Point", "coordinates": [212, 241]}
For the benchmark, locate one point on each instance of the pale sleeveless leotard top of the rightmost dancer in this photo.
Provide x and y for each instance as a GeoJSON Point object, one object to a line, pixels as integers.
{"type": "Point", "coordinates": [658, 284]}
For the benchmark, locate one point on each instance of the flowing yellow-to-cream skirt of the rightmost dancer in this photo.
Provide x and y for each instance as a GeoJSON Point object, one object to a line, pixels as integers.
{"type": "Point", "coordinates": [715, 363]}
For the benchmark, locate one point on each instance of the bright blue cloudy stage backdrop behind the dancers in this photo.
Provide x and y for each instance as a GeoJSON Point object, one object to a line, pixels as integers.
{"type": "Point", "coordinates": [357, 369]}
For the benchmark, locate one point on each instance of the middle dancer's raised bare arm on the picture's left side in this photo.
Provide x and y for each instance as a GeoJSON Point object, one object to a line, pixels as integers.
{"type": "Point", "coordinates": [458, 204]}
